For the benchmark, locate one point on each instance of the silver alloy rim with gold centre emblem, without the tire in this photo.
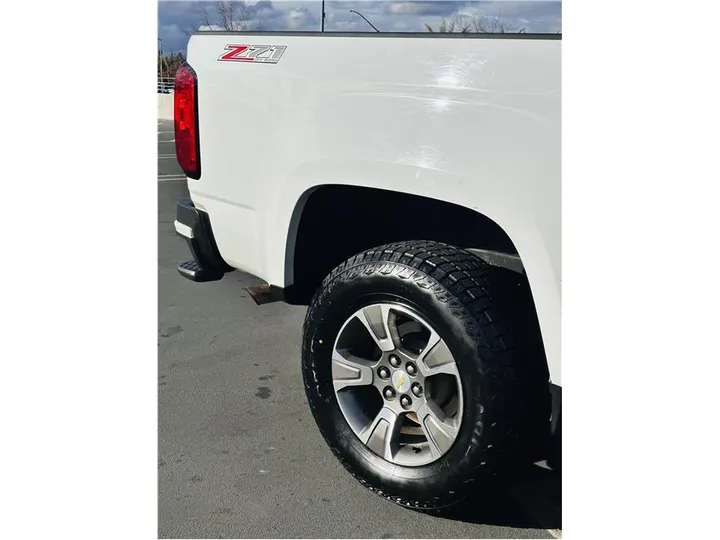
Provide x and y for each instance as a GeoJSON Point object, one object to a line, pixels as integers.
{"type": "Point", "coordinates": [384, 362]}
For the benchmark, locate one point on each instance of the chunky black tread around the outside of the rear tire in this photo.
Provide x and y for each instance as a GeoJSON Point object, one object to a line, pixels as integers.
{"type": "Point", "coordinates": [468, 285]}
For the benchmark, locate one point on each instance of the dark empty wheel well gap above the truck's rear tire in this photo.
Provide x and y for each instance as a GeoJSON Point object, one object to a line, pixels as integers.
{"type": "Point", "coordinates": [338, 222]}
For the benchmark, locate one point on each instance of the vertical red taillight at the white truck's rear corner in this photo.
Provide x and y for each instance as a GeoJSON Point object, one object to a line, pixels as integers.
{"type": "Point", "coordinates": [187, 145]}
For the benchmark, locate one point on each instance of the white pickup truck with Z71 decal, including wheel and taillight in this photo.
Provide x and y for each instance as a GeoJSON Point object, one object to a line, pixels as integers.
{"type": "Point", "coordinates": [406, 187]}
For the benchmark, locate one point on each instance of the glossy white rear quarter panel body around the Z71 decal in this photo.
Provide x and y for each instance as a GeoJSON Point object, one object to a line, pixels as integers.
{"type": "Point", "coordinates": [475, 122]}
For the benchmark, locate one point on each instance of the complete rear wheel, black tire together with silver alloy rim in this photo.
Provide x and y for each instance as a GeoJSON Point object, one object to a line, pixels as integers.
{"type": "Point", "coordinates": [422, 370]}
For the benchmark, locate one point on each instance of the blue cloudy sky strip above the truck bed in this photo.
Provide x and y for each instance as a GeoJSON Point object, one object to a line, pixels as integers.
{"type": "Point", "coordinates": [178, 17]}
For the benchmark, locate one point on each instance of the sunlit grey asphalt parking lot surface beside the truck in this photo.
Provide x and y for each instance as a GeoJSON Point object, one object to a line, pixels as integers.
{"type": "Point", "coordinates": [239, 455]}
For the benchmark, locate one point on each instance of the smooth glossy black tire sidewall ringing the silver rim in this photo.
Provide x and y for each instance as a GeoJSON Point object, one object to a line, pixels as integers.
{"type": "Point", "coordinates": [358, 287]}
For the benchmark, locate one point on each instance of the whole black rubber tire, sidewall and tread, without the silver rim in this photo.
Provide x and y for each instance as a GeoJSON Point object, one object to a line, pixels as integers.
{"type": "Point", "coordinates": [486, 317]}
